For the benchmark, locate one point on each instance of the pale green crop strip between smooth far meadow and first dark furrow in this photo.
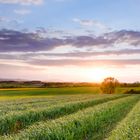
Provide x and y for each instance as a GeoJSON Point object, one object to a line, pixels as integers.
{"type": "Point", "coordinates": [35, 102]}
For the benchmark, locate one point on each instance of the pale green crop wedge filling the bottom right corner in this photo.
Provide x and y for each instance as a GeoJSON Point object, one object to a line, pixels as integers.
{"type": "Point", "coordinates": [129, 128]}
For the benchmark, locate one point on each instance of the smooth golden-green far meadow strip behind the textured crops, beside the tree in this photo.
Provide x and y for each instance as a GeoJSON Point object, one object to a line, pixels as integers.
{"type": "Point", "coordinates": [55, 91]}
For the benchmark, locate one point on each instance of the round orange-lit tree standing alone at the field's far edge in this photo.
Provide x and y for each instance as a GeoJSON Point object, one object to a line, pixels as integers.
{"type": "Point", "coordinates": [109, 85]}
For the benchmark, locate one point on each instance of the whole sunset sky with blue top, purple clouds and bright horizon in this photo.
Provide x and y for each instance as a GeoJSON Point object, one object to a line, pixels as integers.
{"type": "Point", "coordinates": [70, 40]}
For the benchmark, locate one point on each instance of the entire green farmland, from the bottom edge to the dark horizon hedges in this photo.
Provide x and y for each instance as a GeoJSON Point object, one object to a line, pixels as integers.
{"type": "Point", "coordinates": [76, 113]}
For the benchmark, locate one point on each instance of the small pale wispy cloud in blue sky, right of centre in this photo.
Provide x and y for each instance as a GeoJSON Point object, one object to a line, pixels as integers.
{"type": "Point", "coordinates": [90, 23]}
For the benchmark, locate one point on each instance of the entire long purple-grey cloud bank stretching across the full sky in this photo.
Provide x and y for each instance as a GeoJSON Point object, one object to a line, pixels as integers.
{"type": "Point", "coordinates": [17, 41]}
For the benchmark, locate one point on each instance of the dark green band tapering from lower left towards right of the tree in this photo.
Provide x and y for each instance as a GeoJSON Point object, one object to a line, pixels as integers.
{"type": "Point", "coordinates": [15, 121]}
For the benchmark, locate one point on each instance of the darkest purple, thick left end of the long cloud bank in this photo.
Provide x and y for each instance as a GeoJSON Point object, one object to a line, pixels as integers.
{"type": "Point", "coordinates": [26, 42]}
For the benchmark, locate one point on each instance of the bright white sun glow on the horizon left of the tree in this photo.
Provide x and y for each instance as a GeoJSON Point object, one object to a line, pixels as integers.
{"type": "Point", "coordinates": [87, 74]}
